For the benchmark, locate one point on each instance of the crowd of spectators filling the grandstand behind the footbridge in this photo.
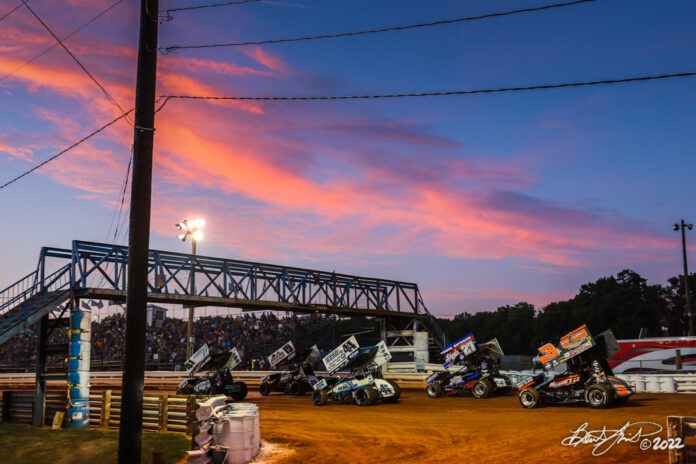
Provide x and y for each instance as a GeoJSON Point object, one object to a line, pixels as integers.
{"type": "Point", "coordinates": [254, 336]}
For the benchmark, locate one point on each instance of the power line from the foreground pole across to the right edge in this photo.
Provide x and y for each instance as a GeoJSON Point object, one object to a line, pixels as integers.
{"type": "Point", "coordinates": [443, 93]}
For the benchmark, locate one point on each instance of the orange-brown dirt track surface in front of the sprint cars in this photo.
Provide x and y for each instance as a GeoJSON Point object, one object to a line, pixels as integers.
{"type": "Point", "coordinates": [419, 429]}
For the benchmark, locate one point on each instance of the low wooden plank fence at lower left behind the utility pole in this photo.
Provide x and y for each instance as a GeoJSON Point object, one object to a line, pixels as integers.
{"type": "Point", "coordinates": [161, 413]}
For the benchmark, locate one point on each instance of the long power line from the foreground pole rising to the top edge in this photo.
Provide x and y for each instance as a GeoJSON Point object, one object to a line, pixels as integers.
{"type": "Point", "coordinates": [375, 31]}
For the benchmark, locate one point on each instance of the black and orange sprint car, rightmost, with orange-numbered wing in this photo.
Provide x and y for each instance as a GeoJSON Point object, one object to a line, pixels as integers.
{"type": "Point", "coordinates": [587, 379]}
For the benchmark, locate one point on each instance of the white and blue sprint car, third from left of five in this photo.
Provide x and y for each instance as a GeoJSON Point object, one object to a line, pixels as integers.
{"type": "Point", "coordinates": [363, 383]}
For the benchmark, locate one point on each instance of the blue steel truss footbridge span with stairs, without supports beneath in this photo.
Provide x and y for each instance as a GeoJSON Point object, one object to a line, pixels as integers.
{"type": "Point", "coordinates": [98, 271]}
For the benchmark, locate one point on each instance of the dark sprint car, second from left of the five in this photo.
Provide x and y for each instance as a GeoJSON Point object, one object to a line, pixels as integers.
{"type": "Point", "coordinates": [298, 376]}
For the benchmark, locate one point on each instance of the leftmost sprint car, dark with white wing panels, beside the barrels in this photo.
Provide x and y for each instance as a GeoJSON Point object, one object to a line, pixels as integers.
{"type": "Point", "coordinates": [210, 375]}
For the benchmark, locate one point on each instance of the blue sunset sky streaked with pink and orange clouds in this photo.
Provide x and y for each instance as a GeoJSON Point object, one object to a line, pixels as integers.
{"type": "Point", "coordinates": [483, 200]}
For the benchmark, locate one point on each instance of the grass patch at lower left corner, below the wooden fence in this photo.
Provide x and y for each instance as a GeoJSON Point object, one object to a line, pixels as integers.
{"type": "Point", "coordinates": [23, 443]}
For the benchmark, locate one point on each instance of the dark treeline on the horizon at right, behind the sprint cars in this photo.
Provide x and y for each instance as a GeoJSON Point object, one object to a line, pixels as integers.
{"type": "Point", "coordinates": [624, 303]}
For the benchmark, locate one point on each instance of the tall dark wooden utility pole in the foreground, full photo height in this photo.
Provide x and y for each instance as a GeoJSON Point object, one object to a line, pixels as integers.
{"type": "Point", "coordinates": [130, 429]}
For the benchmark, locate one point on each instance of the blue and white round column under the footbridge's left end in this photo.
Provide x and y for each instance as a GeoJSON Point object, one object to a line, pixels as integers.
{"type": "Point", "coordinates": [79, 353]}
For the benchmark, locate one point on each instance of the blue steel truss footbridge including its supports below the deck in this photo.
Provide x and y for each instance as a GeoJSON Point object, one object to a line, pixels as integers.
{"type": "Point", "coordinates": [49, 298]}
